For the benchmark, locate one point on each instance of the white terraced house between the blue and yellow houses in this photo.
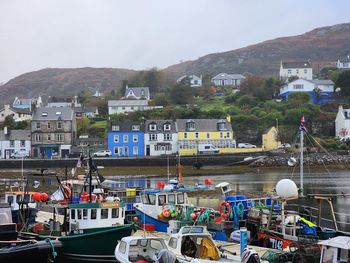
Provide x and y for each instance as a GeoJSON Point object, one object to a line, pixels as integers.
{"type": "Point", "coordinates": [160, 137]}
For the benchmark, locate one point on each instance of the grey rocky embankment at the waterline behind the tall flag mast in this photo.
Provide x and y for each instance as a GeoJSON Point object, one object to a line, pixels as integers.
{"type": "Point", "coordinates": [309, 159]}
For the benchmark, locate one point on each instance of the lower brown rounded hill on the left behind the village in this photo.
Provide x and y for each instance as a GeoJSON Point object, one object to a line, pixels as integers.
{"type": "Point", "coordinates": [59, 81]}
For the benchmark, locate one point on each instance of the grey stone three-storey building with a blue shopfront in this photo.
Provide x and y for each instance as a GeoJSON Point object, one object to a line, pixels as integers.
{"type": "Point", "coordinates": [53, 131]}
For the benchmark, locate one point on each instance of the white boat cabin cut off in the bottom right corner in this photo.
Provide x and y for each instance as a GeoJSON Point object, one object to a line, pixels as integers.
{"type": "Point", "coordinates": [335, 250]}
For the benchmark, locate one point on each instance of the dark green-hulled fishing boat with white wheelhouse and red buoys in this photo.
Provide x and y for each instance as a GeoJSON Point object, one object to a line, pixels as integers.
{"type": "Point", "coordinates": [94, 224]}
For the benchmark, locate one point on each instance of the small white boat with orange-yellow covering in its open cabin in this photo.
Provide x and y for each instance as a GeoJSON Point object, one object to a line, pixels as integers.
{"type": "Point", "coordinates": [195, 244]}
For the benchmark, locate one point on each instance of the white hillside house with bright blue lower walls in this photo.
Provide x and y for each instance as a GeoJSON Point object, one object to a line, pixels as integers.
{"type": "Point", "coordinates": [320, 90]}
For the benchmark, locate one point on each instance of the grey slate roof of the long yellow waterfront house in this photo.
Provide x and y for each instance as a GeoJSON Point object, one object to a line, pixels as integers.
{"type": "Point", "coordinates": [203, 125]}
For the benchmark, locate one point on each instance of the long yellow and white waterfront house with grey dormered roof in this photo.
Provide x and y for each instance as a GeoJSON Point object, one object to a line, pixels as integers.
{"type": "Point", "coordinates": [193, 134]}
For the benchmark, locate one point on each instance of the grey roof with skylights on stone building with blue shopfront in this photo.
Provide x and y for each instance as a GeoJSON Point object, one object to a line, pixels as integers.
{"type": "Point", "coordinates": [53, 114]}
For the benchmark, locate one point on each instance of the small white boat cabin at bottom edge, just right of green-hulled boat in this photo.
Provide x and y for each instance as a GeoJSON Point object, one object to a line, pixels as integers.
{"type": "Point", "coordinates": [138, 248]}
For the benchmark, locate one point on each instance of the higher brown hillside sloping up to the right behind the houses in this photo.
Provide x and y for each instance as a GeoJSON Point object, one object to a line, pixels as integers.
{"type": "Point", "coordinates": [322, 46]}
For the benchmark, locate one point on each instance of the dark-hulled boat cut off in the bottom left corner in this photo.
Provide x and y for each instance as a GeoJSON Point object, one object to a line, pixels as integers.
{"type": "Point", "coordinates": [13, 249]}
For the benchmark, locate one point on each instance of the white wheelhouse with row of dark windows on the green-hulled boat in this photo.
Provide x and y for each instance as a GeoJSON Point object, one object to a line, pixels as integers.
{"type": "Point", "coordinates": [95, 215]}
